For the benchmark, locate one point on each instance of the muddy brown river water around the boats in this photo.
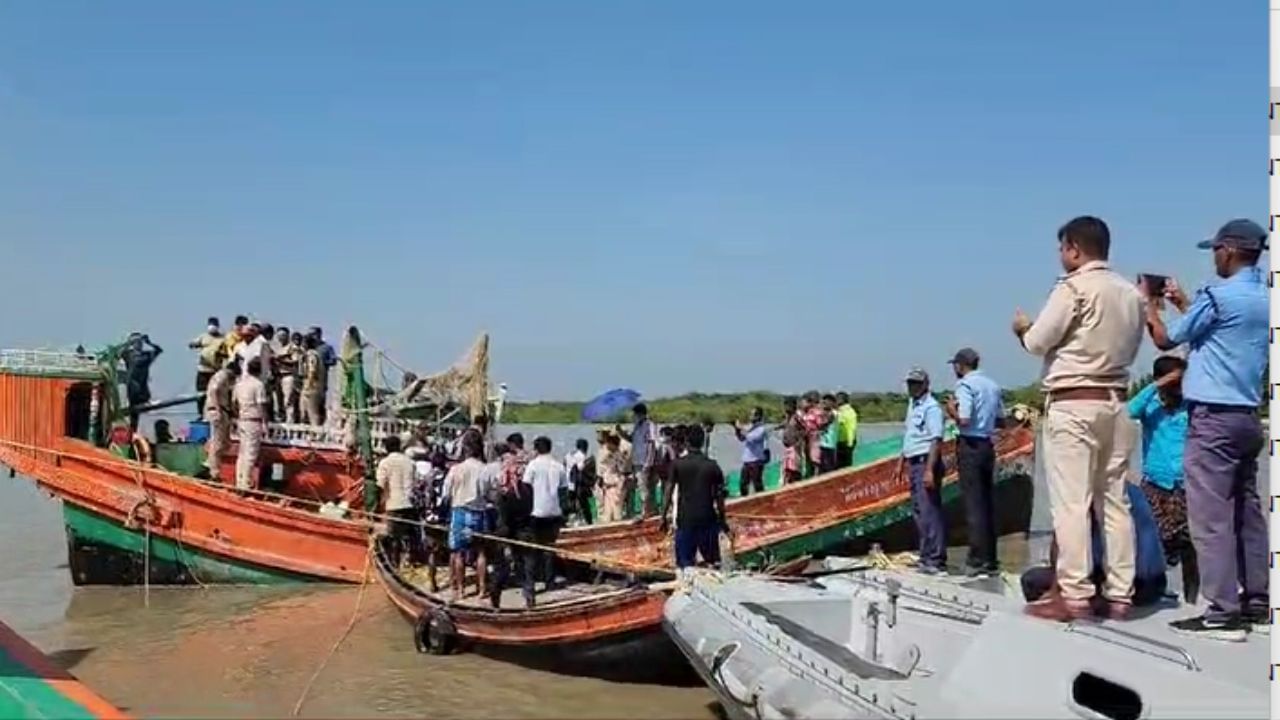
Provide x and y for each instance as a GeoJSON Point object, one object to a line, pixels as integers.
{"type": "Point", "coordinates": [249, 653]}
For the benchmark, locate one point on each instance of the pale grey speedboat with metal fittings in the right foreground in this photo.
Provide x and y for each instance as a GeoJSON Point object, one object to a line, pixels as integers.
{"type": "Point", "coordinates": [861, 642]}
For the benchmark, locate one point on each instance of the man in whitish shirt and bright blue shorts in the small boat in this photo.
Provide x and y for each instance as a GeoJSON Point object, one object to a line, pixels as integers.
{"type": "Point", "coordinates": [465, 487]}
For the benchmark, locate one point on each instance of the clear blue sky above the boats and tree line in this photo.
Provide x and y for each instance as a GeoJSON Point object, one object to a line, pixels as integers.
{"type": "Point", "coordinates": [662, 195]}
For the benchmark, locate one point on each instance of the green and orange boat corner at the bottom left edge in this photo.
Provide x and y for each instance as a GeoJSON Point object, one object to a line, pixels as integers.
{"type": "Point", "coordinates": [31, 686]}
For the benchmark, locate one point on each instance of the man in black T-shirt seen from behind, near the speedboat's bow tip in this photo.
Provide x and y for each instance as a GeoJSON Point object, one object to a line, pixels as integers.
{"type": "Point", "coordinates": [701, 508]}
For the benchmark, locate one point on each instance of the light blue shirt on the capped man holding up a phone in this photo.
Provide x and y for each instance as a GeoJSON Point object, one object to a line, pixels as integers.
{"type": "Point", "coordinates": [1227, 330]}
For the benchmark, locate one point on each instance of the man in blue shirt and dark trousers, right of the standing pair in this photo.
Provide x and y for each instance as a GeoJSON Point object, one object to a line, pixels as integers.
{"type": "Point", "coordinates": [977, 411]}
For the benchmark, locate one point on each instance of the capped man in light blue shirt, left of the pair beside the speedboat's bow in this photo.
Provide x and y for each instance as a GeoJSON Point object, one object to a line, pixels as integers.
{"type": "Point", "coordinates": [922, 458]}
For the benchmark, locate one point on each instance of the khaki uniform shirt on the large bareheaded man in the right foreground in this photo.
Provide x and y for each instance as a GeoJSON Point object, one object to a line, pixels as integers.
{"type": "Point", "coordinates": [1090, 331]}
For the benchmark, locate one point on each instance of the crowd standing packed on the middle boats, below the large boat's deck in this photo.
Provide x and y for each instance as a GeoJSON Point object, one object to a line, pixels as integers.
{"type": "Point", "coordinates": [501, 491]}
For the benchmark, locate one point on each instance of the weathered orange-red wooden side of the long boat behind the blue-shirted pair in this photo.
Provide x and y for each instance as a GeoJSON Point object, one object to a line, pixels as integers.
{"type": "Point", "coordinates": [811, 517]}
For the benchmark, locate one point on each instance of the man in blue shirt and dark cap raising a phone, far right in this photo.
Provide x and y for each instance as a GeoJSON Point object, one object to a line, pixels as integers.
{"type": "Point", "coordinates": [1227, 329]}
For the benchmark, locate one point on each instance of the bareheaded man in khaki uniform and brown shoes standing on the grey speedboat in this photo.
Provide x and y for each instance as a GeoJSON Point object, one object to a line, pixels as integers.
{"type": "Point", "coordinates": [1089, 335]}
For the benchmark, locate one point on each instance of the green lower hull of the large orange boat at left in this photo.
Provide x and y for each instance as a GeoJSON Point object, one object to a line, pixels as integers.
{"type": "Point", "coordinates": [103, 552]}
